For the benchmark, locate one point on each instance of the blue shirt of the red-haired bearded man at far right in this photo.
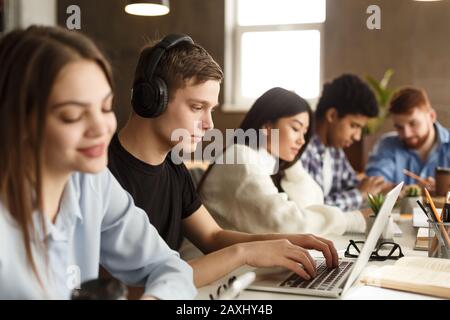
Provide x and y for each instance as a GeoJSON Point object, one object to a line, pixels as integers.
{"type": "Point", "coordinates": [390, 156]}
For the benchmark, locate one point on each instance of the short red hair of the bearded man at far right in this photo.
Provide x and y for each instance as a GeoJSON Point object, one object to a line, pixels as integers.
{"type": "Point", "coordinates": [406, 99]}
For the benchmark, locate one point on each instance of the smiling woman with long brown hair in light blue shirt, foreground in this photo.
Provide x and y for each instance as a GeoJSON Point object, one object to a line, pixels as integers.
{"type": "Point", "coordinates": [62, 213]}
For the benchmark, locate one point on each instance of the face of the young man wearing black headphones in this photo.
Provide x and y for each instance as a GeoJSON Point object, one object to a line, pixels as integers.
{"type": "Point", "coordinates": [189, 112]}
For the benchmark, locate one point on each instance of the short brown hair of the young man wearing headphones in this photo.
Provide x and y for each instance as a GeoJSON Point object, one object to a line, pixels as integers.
{"type": "Point", "coordinates": [180, 63]}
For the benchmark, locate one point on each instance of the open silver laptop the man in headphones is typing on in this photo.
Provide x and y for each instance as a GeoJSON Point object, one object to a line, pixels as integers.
{"type": "Point", "coordinates": [328, 282]}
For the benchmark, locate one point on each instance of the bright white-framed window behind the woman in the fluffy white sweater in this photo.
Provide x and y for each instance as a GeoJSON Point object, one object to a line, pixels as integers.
{"type": "Point", "coordinates": [272, 43]}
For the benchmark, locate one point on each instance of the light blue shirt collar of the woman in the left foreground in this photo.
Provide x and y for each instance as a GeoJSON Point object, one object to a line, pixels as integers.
{"type": "Point", "coordinates": [69, 212]}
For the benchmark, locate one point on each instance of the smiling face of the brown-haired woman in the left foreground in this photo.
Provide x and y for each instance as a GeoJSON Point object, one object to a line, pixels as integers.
{"type": "Point", "coordinates": [80, 120]}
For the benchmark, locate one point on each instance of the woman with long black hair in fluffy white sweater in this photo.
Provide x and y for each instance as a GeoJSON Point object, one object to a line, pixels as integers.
{"type": "Point", "coordinates": [266, 189]}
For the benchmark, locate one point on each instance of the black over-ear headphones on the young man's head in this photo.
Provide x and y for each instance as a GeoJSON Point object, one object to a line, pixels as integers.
{"type": "Point", "coordinates": [150, 96]}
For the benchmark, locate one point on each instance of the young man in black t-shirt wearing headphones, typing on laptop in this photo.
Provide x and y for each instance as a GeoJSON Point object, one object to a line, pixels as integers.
{"type": "Point", "coordinates": [177, 86]}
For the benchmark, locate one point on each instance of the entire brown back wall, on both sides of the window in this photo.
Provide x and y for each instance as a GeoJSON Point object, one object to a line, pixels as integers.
{"type": "Point", "coordinates": [414, 41]}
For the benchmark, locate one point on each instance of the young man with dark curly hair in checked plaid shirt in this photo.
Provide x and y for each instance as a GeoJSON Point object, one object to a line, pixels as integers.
{"type": "Point", "coordinates": [343, 110]}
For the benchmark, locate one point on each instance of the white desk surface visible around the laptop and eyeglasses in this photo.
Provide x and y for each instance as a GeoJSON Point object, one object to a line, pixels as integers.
{"type": "Point", "coordinates": [358, 291]}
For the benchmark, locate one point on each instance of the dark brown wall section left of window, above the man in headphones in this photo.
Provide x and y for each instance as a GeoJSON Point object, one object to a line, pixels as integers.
{"type": "Point", "coordinates": [122, 35]}
